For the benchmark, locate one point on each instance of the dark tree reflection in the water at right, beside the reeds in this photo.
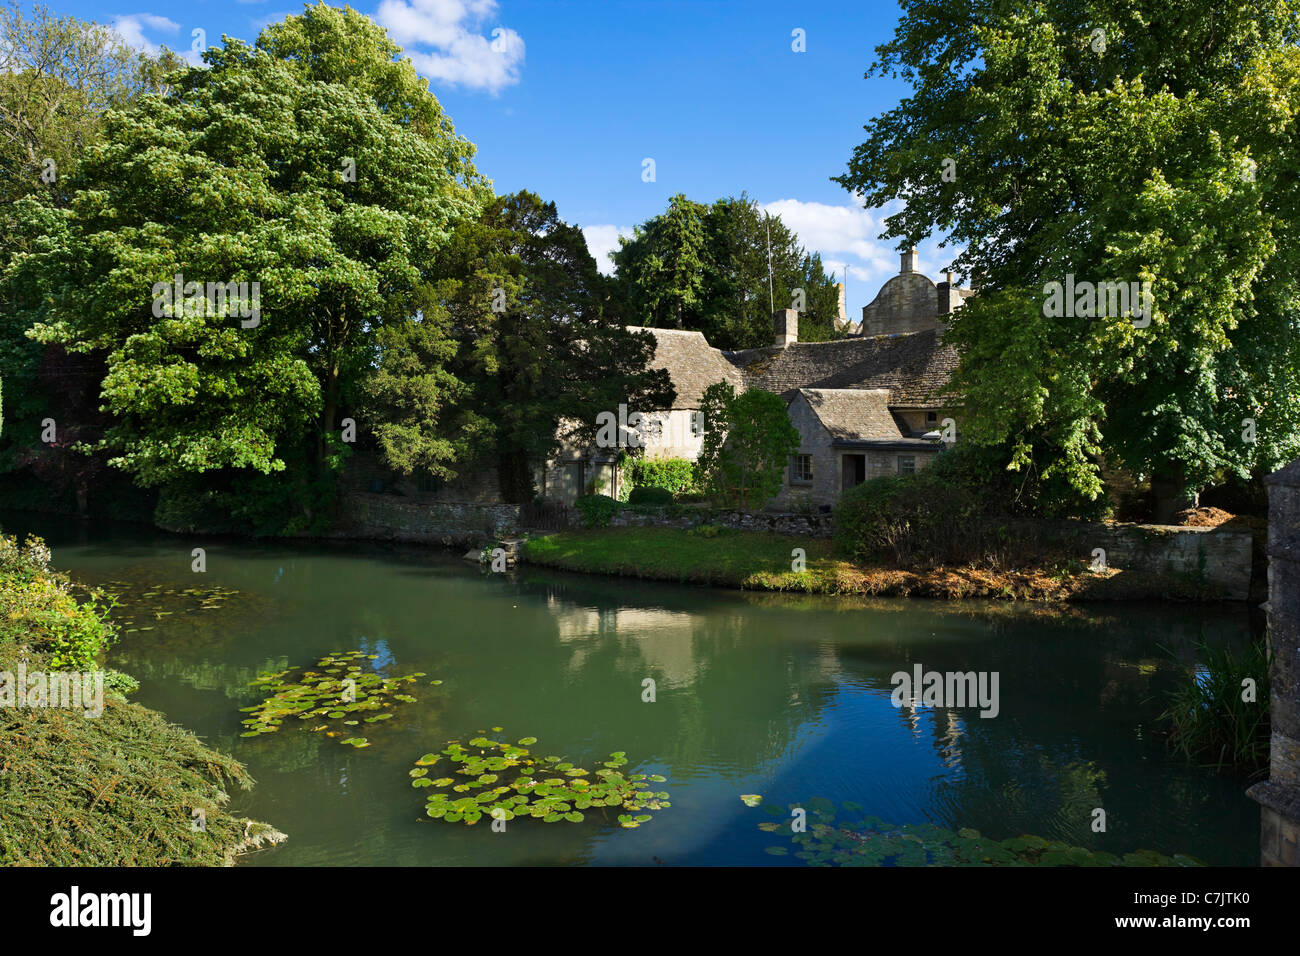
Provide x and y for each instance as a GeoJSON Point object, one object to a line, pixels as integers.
{"type": "Point", "coordinates": [1035, 768]}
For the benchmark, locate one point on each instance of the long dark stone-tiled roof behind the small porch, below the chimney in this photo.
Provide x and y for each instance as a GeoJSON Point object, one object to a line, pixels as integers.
{"type": "Point", "coordinates": [915, 367]}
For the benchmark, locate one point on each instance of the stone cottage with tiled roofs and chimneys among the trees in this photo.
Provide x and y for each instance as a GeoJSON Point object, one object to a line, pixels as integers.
{"type": "Point", "coordinates": [873, 404]}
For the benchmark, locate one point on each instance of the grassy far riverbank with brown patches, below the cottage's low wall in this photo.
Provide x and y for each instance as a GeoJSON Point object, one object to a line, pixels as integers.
{"type": "Point", "coordinates": [764, 563]}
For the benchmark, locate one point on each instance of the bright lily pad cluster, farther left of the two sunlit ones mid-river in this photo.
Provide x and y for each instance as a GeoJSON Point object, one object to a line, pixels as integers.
{"type": "Point", "coordinates": [339, 690]}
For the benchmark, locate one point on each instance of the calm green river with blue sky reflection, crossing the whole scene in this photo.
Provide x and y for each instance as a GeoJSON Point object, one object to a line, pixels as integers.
{"type": "Point", "coordinates": [781, 697]}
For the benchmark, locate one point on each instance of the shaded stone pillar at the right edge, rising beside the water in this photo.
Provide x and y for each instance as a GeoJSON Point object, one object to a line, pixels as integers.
{"type": "Point", "coordinates": [1280, 795]}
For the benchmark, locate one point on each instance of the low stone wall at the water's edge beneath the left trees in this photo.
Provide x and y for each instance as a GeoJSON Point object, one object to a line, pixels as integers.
{"type": "Point", "coordinates": [397, 518]}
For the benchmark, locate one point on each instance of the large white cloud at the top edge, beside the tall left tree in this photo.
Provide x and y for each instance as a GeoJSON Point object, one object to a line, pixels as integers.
{"type": "Point", "coordinates": [454, 47]}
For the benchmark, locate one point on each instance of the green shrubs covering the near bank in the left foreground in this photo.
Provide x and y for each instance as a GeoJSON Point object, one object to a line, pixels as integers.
{"type": "Point", "coordinates": [83, 788]}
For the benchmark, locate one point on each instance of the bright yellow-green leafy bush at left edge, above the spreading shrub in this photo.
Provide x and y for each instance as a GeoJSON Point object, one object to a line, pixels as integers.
{"type": "Point", "coordinates": [38, 611]}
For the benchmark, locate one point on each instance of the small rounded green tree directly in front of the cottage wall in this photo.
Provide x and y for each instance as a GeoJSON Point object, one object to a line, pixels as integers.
{"type": "Point", "coordinates": [748, 444]}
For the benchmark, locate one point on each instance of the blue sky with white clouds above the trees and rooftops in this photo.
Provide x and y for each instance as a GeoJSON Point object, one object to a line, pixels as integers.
{"type": "Point", "coordinates": [569, 98]}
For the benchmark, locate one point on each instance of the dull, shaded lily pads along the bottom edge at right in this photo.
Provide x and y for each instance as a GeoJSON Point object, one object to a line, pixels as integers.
{"type": "Point", "coordinates": [868, 841]}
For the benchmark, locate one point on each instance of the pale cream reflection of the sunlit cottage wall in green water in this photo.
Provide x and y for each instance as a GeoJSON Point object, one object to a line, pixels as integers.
{"type": "Point", "coordinates": [665, 641]}
